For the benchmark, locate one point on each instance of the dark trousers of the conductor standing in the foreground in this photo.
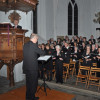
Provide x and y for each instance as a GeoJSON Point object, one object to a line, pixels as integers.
{"type": "Point", "coordinates": [31, 85]}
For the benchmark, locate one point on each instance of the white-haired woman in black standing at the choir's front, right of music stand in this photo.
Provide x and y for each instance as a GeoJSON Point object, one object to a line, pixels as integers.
{"type": "Point", "coordinates": [58, 56]}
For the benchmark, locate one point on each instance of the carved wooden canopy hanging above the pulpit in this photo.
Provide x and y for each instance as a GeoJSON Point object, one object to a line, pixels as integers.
{"type": "Point", "coordinates": [22, 5]}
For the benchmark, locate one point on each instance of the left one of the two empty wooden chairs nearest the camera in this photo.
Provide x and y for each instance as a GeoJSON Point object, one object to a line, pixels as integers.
{"type": "Point", "coordinates": [81, 77]}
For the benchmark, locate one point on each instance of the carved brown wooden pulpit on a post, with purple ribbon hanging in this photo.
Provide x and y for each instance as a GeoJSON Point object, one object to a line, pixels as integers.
{"type": "Point", "coordinates": [11, 47]}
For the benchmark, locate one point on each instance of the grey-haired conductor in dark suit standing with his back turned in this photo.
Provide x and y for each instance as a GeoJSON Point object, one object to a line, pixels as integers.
{"type": "Point", "coordinates": [30, 66]}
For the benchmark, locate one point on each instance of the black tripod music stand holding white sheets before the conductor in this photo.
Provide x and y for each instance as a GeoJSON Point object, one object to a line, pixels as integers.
{"type": "Point", "coordinates": [44, 59]}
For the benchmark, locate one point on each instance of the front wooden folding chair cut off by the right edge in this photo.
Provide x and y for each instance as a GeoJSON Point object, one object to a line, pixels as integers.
{"type": "Point", "coordinates": [94, 80]}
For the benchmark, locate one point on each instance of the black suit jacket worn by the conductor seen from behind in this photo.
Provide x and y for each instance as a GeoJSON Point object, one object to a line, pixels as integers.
{"type": "Point", "coordinates": [30, 54]}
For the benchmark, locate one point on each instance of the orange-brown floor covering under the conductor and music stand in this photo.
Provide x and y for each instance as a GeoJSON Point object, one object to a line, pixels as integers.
{"type": "Point", "coordinates": [19, 94]}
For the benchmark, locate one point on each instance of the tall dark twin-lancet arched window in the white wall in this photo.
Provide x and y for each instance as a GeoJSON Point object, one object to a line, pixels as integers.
{"type": "Point", "coordinates": [72, 18]}
